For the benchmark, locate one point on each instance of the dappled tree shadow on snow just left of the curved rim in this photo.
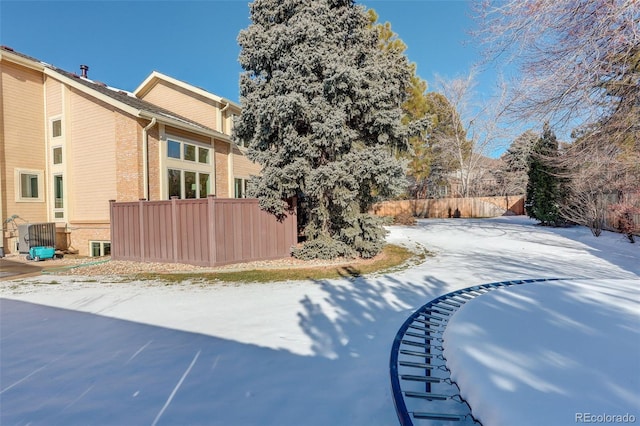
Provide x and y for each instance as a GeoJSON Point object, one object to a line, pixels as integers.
{"type": "Point", "coordinates": [361, 315]}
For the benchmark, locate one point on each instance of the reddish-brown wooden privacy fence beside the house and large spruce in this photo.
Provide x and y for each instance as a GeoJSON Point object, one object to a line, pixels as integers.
{"type": "Point", "coordinates": [204, 232]}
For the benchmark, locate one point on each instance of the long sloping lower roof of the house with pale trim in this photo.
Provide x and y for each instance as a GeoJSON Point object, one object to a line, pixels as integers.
{"type": "Point", "coordinates": [121, 99]}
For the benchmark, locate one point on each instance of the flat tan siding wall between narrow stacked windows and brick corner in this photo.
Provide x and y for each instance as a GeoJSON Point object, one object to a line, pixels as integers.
{"type": "Point", "coordinates": [93, 159]}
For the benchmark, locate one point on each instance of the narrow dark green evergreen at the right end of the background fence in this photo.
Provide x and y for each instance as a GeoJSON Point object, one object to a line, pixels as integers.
{"type": "Point", "coordinates": [544, 190]}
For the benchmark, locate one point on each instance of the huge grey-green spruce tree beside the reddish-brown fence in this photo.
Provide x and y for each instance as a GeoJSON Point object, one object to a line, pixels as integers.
{"type": "Point", "coordinates": [321, 113]}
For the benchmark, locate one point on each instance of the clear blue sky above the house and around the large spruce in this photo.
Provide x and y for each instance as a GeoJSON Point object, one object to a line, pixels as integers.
{"type": "Point", "coordinates": [195, 41]}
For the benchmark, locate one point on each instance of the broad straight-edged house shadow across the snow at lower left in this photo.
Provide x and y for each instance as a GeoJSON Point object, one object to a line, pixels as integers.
{"type": "Point", "coordinates": [62, 367]}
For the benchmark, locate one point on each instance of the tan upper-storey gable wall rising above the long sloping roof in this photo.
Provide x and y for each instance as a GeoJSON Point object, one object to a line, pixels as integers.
{"type": "Point", "coordinates": [185, 103]}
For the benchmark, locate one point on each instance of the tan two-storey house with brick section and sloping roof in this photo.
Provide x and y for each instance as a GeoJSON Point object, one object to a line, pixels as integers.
{"type": "Point", "coordinates": [69, 144]}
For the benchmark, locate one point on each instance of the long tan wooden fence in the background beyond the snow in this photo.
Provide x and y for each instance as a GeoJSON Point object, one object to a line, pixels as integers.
{"type": "Point", "coordinates": [453, 207]}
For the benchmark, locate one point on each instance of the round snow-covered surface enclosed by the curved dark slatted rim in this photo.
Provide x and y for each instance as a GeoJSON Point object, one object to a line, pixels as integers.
{"type": "Point", "coordinates": [580, 357]}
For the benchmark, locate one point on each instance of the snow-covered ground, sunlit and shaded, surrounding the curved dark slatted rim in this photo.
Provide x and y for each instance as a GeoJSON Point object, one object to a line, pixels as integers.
{"type": "Point", "coordinates": [76, 351]}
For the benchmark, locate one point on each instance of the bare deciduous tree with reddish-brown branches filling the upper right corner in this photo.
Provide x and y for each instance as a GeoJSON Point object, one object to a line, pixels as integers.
{"type": "Point", "coordinates": [579, 67]}
